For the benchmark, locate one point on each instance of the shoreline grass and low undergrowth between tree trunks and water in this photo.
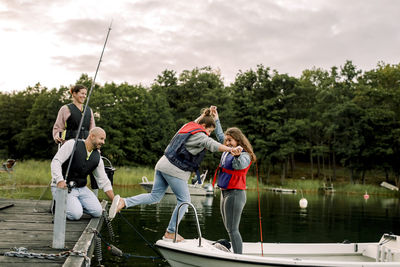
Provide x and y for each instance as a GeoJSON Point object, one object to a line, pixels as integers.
{"type": "Point", "coordinates": [37, 173]}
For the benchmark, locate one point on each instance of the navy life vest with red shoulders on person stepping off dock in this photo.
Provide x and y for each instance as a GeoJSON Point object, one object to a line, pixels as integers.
{"type": "Point", "coordinates": [177, 153]}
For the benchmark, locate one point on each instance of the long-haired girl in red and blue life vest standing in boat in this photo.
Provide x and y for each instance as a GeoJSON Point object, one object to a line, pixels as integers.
{"type": "Point", "coordinates": [232, 170]}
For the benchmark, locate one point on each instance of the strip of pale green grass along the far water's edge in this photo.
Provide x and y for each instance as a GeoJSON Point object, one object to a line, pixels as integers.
{"type": "Point", "coordinates": [37, 173]}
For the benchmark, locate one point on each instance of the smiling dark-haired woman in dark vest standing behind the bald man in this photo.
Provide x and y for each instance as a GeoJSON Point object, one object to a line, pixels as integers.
{"type": "Point", "coordinates": [69, 117]}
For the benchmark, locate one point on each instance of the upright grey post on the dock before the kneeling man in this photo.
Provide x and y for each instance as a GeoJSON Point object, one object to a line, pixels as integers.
{"type": "Point", "coordinates": [60, 218]}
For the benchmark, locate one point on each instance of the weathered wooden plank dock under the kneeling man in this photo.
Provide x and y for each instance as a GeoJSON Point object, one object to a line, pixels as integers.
{"type": "Point", "coordinates": [28, 224]}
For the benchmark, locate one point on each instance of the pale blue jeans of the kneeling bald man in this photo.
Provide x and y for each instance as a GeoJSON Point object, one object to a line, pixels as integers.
{"type": "Point", "coordinates": [79, 201]}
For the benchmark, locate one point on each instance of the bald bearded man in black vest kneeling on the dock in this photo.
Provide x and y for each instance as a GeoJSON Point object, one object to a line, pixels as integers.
{"type": "Point", "coordinates": [86, 160]}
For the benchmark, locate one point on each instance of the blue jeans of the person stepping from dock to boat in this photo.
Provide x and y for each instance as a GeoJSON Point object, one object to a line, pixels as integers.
{"type": "Point", "coordinates": [161, 183]}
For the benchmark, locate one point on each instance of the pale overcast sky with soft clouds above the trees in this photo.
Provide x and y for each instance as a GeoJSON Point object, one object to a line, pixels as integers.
{"type": "Point", "coordinates": [54, 41]}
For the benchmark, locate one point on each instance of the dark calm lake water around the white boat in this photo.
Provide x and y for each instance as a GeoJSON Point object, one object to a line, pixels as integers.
{"type": "Point", "coordinates": [328, 218]}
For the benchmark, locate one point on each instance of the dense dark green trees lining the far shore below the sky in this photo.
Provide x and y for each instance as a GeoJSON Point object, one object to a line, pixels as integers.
{"type": "Point", "coordinates": [338, 117]}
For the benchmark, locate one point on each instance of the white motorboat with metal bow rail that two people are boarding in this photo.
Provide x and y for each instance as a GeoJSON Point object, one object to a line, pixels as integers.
{"type": "Point", "coordinates": [202, 252]}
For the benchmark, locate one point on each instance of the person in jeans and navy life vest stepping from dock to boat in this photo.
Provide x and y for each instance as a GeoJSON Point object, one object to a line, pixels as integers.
{"type": "Point", "coordinates": [182, 156]}
